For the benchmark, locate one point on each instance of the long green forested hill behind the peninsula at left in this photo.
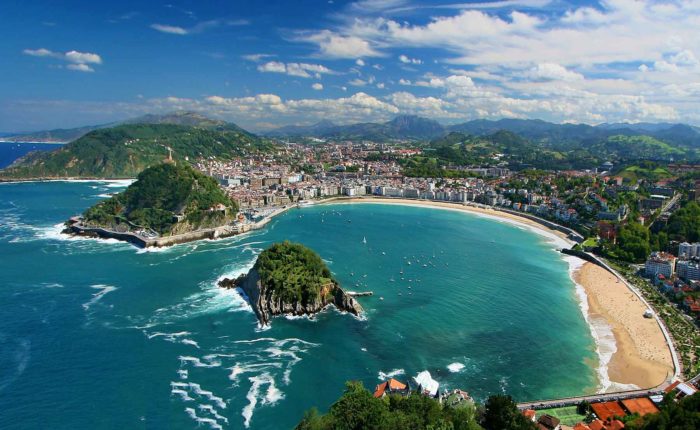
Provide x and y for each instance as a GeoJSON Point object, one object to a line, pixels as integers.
{"type": "Point", "coordinates": [125, 150]}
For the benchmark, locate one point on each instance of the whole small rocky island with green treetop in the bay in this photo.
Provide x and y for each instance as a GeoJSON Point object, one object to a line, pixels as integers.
{"type": "Point", "coordinates": [291, 279]}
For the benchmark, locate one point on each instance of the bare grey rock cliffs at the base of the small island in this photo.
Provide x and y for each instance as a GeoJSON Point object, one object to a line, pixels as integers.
{"type": "Point", "coordinates": [267, 304]}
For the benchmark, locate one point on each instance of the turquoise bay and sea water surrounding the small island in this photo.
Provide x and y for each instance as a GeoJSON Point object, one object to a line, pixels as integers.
{"type": "Point", "coordinates": [96, 334]}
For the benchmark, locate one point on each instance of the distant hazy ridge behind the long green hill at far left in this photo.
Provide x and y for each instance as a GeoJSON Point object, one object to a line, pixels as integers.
{"type": "Point", "coordinates": [69, 134]}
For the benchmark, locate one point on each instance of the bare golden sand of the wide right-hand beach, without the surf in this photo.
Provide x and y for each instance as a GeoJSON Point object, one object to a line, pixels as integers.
{"type": "Point", "coordinates": [642, 357]}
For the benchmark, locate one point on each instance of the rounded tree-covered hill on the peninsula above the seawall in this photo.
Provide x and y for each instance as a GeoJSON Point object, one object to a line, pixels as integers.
{"type": "Point", "coordinates": [160, 193]}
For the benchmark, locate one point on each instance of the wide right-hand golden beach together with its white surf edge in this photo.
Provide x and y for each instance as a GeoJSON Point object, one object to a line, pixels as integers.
{"type": "Point", "coordinates": [632, 349]}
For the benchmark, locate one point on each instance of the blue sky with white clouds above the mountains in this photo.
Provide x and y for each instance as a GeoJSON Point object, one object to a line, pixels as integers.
{"type": "Point", "coordinates": [267, 63]}
